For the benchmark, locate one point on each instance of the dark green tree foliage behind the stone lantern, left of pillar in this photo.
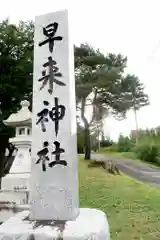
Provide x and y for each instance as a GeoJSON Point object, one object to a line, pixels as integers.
{"type": "Point", "coordinates": [16, 68]}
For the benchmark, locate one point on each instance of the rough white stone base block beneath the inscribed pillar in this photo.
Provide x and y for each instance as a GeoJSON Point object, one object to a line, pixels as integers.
{"type": "Point", "coordinates": [90, 224]}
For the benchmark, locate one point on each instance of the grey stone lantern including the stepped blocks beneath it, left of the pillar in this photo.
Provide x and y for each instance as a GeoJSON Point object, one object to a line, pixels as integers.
{"type": "Point", "coordinates": [15, 188]}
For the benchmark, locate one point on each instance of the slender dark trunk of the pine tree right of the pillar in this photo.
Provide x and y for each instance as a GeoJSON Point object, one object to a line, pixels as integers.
{"type": "Point", "coordinates": [87, 142]}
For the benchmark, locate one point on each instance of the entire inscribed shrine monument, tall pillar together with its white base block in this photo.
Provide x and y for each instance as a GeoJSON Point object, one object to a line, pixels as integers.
{"type": "Point", "coordinates": [54, 211]}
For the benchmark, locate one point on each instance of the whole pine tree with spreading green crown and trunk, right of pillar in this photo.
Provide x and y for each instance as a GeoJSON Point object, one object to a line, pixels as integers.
{"type": "Point", "coordinates": [103, 77]}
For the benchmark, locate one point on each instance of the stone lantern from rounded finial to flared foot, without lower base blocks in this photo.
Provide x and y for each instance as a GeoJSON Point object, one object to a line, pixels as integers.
{"type": "Point", "coordinates": [18, 177]}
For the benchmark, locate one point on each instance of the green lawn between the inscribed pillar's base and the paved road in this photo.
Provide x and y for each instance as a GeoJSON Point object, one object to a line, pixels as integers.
{"type": "Point", "coordinates": [132, 208]}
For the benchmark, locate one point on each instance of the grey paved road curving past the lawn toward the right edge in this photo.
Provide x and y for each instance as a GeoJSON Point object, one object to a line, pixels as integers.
{"type": "Point", "coordinates": [141, 172]}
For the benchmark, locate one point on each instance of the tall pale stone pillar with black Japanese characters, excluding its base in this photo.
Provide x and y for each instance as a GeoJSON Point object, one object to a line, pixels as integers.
{"type": "Point", "coordinates": [54, 177]}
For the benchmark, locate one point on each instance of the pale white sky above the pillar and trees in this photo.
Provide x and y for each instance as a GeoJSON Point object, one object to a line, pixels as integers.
{"type": "Point", "coordinates": [130, 27]}
